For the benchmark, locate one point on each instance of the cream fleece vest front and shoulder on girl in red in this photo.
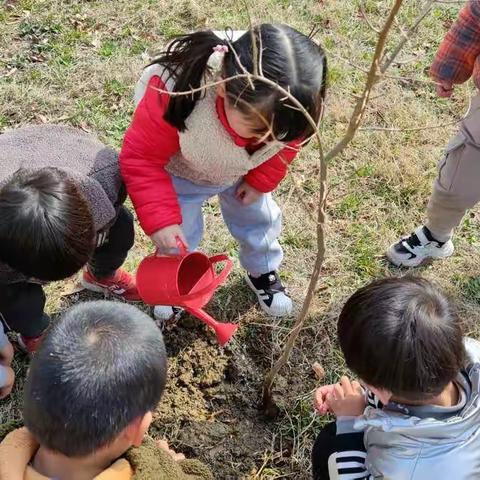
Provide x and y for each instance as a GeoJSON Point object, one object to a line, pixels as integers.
{"type": "Point", "coordinates": [208, 155]}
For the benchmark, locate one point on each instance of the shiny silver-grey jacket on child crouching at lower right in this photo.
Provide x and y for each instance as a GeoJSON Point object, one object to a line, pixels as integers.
{"type": "Point", "coordinates": [428, 442]}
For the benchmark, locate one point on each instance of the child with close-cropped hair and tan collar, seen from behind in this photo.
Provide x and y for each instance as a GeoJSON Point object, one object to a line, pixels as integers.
{"type": "Point", "coordinates": [89, 397]}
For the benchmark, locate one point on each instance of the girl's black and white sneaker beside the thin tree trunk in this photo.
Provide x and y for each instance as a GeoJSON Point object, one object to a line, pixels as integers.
{"type": "Point", "coordinates": [271, 294]}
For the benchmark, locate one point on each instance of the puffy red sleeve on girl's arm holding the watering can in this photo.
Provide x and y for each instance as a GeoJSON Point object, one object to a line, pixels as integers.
{"type": "Point", "coordinates": [147, 147]}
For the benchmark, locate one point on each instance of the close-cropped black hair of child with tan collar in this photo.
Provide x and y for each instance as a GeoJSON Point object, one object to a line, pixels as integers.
{"type": "Point", "coordinates": [100, 367]}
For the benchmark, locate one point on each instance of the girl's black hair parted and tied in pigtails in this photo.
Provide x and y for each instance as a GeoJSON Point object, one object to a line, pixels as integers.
{"type": "Point", "coordinates": [289, 58]}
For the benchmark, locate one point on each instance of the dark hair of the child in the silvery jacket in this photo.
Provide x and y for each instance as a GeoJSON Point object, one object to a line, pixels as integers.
{"type": "Point", "coordinates": [403, 335]}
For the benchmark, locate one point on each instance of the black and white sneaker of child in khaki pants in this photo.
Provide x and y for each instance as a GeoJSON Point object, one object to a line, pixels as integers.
{"type": "Point", "coordinates": [417, 248]}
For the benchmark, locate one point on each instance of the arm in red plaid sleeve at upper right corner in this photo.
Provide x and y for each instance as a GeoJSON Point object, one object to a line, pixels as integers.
{"type": "Point", "coordinates": [459, 50]}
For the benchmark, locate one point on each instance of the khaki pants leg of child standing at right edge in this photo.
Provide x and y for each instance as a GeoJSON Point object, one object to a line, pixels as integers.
{"type": "Point", "coordinates": [457, 187]}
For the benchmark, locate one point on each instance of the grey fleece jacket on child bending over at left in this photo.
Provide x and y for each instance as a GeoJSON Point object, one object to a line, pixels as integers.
{"type": "Point", "coordinates": [90, 163]}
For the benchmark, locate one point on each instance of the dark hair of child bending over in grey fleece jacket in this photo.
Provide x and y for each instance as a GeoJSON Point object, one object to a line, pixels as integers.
{"type": "Point", "coordinates": [46, 228]}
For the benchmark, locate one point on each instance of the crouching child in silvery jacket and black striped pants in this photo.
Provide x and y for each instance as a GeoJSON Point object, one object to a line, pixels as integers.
{"type": "Point", "coordinates": [417, 415]}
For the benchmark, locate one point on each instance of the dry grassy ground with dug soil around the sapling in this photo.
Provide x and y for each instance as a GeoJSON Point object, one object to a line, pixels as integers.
{"type": "Point", "coordinates": [76, 62]}
